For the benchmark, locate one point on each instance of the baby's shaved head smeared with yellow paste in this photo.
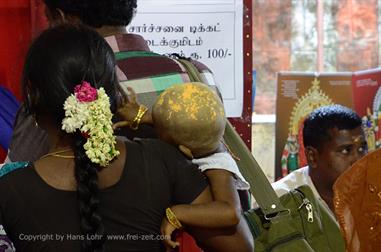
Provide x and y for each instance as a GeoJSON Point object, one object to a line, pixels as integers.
{"type": "Point", "coordinates": [190, 114]}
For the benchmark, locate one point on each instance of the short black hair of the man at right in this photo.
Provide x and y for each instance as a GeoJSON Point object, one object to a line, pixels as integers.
{"type": "Point", "coordinates": [317, 124]}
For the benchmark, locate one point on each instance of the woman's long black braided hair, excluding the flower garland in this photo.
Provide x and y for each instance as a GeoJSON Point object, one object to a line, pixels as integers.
{"type": "Point", "coordinates": [58, 60]}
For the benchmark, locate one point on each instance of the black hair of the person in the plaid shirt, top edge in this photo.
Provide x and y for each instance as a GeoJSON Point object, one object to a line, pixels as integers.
{"type": "Point", "coordinates": [97, 13]}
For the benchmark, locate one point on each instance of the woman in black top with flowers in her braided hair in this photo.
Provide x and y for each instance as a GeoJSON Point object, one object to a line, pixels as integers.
{"type": "Point", "coordinates": [91, 192]}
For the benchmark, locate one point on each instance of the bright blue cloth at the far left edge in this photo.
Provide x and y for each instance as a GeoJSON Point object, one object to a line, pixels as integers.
{"type": "Point", "coordinates": [8, 109]}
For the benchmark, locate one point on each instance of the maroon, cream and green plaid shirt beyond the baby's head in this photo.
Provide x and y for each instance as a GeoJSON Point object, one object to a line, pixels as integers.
{"type": "Point", "coordinates": [146, 72]}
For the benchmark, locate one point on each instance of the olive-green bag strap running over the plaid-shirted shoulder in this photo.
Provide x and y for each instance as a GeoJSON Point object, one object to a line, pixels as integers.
{"type": "Point", "coordinates": [261, 188]}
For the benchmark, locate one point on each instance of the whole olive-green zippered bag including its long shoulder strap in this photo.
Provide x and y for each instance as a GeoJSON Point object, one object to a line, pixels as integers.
{"type": "Point", "coordinates": [296, 221]}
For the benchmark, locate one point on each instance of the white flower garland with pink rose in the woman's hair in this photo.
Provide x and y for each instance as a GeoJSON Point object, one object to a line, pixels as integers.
{"type": "Point", "coordinates": [88, 110]}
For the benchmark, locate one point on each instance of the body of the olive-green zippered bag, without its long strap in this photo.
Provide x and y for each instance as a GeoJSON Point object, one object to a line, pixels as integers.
{"type": "Point", "coordinates": [307, 226]}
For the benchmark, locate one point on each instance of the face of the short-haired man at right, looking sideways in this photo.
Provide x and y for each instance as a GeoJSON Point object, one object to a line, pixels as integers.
{"type": "Point", "coordinates": [343, 149]}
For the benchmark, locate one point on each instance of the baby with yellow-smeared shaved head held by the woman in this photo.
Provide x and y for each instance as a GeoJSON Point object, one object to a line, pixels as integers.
{"type": "Point", "coordinates": [191, 117]}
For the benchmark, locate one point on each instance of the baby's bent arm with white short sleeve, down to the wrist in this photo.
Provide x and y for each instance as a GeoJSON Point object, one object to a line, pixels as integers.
{"type": "Point", "coordinates": [225, 209]}
